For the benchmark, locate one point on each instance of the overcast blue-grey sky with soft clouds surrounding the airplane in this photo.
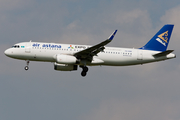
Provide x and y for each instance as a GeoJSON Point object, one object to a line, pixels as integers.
{"type": "Point", "coordinates": [142, 92]}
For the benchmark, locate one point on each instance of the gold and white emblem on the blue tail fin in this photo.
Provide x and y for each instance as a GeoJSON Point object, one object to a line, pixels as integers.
{"type": "Point", "coordinates": [163, 37]}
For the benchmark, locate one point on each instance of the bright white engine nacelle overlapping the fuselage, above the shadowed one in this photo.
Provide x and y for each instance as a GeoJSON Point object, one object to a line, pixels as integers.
{"type": "Point", "coordinates": [65, 59]}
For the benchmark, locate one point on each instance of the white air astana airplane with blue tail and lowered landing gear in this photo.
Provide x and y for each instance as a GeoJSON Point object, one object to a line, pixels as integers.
{"type": "Point", "coordinates": [67, 57]}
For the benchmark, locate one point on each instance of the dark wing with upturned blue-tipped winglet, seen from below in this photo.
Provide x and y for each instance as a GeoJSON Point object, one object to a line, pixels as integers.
{"type": "Point", "coordinates": [88, 53]}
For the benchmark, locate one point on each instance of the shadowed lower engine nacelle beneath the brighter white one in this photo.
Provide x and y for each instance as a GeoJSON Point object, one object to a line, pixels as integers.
{"type": "Point", "coordinates": [64, 67]}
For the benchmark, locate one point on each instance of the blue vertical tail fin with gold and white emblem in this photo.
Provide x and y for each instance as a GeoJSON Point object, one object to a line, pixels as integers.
{"type": "Point", "coordinates": [161, 40]}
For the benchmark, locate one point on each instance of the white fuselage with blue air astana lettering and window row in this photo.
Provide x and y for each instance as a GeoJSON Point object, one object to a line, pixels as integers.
{"type": "Point", "coordinates": [112, 56]}
